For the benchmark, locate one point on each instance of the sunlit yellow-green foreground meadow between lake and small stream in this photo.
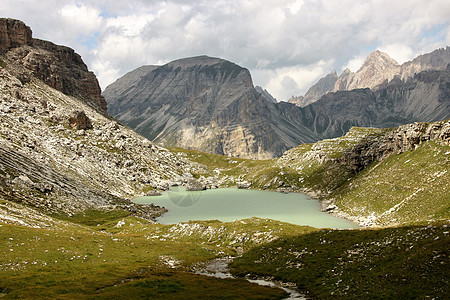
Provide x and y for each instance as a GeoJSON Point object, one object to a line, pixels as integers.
{"type": "Point", "coordinates": [107, 254]}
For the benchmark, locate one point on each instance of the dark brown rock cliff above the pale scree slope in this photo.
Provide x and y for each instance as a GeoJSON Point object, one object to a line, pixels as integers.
{"type": "Point", "coordinates": [58, 66]}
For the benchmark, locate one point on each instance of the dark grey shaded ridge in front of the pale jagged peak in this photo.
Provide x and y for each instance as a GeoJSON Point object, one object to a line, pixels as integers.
{"type": "Point", "coordinates": [426, 97]}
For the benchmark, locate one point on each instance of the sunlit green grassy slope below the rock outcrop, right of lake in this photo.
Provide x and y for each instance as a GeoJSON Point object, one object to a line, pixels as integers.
{"type": "Point", "coordinates": [411, 187]}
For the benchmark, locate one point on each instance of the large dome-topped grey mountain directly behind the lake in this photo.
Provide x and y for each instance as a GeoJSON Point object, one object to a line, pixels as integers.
{"type": "Point", "coordinates": [204, 103]}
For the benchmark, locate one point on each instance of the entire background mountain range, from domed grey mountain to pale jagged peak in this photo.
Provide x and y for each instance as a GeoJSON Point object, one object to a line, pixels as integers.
{"type": "Point", "coordinates": [210, 104]}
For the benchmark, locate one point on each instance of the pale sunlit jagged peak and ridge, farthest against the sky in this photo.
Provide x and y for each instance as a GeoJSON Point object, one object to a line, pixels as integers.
{"type": "Point", "coordinates": [378, 68]}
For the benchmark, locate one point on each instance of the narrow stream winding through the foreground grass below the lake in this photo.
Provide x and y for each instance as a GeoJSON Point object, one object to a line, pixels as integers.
{"type": "Point", "coordinates": [219, 268]}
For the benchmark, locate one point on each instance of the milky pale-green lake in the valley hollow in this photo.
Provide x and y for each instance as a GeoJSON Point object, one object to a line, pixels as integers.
{"type": "Point", "coordinates": [233, 204]}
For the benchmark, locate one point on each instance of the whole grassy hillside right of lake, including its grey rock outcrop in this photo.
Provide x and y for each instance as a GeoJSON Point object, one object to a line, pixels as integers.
{"type": "Point", "coordinates": [379, 176]}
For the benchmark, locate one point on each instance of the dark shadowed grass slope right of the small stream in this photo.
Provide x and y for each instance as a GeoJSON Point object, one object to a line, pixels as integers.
{"type": "Point", "coordinates": [393, 263]}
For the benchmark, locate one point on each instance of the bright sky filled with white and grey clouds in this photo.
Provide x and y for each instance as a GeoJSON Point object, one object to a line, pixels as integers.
{"type": "Point", "coordinates": [286, 44]}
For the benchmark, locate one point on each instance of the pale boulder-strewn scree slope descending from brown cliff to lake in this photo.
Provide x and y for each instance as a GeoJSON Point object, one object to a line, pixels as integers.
{"type": "Point", "coordinates": [62, 154]}
